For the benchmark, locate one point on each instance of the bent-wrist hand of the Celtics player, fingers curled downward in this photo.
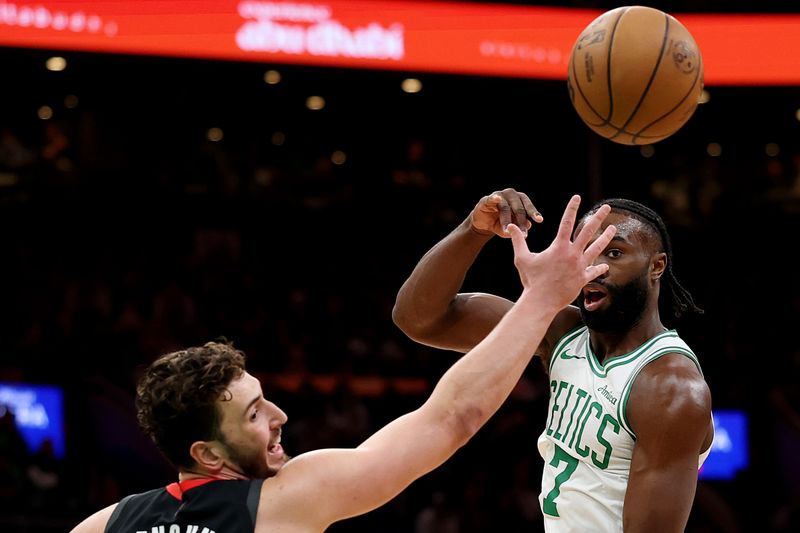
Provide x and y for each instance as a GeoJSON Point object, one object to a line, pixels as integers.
{"type": "Point", "coordinates": [495, 212]}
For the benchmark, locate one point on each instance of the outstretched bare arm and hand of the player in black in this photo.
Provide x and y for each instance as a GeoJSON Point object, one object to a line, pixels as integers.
{"type": "Point", "coordinates": [345, 483]}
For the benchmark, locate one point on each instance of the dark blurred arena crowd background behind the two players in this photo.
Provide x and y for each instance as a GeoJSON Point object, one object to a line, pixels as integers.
{"type": "Point", "coordinates": [147, 204]}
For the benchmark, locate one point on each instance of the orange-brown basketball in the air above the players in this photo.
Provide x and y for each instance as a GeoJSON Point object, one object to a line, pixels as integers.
{"type": "Point", "coordinates": [635, 75]}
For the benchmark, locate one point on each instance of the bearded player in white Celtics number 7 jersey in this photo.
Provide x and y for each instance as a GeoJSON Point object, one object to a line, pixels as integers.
{"type": "Point", "coordinates": [629, 420]}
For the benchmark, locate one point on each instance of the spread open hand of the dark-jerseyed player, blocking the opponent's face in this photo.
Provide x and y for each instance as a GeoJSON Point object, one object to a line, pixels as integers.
{"type": "Point", "coordinates": [556, 275]}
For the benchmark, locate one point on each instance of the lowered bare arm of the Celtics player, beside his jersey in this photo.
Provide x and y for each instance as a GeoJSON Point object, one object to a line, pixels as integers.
{"type": "Point", "coordinates": [670, 412]}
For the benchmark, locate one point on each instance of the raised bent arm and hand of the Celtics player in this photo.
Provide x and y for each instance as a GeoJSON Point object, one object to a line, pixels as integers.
{"type": "Point", "coordinates": [429, 308]}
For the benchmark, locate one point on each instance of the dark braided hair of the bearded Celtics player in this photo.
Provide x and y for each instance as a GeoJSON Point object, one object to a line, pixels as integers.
{"type": "Point", "coordinates": [681, 300]}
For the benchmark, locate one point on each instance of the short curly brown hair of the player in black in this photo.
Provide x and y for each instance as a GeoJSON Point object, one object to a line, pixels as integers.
{"type": "Point", "coordinates": [176, 397]}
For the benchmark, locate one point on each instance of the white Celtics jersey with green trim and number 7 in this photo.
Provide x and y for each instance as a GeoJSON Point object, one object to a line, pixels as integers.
{"type": "Point", "coordinates": [587, 443]}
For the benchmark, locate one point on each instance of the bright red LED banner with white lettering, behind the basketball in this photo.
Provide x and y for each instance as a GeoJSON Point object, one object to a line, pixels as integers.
{"type": "Point", "coordinates": [448, 37]}
